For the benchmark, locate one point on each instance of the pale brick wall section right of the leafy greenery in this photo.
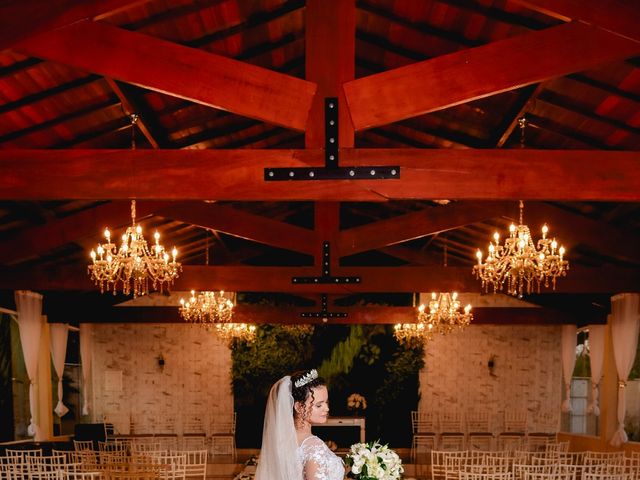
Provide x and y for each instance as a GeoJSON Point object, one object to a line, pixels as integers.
{"type": "Point", "coordinates": [527, 373]}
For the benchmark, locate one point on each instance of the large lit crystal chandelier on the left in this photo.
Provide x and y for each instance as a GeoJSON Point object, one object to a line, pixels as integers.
{"type": "Point", "coordinates": [133, 267]}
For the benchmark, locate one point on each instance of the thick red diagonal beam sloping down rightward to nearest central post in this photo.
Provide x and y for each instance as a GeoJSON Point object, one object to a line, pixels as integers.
{"type": "Point", "coordinates": [201, 77]}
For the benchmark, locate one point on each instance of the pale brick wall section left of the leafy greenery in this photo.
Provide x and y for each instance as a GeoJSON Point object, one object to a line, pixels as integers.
{"type": "Point", "coordinates": [128, 382]}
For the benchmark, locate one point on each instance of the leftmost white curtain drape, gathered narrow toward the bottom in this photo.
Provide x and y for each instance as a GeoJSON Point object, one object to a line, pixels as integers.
{"type": "Point", "coordinates": [29, 307]}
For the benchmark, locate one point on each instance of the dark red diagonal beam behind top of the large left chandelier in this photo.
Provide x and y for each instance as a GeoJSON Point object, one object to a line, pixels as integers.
{"type": "Point", "coordinates": [35, 241]}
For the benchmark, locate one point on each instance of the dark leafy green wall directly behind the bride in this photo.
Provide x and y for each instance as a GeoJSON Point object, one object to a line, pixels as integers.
{"type": "Point", "coordinates": [364, 359]}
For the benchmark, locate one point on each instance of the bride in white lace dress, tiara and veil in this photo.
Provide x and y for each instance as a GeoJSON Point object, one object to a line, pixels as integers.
{"type": "Point", "coordinates": [289, 450]}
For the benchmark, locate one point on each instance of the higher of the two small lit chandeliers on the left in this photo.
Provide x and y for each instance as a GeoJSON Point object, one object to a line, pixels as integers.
{"type": "Point", "coordinates": [207, 308]}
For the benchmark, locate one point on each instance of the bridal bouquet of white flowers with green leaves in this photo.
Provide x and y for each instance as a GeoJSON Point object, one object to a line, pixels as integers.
{"type": "Point", "coordinates": [373, 461]}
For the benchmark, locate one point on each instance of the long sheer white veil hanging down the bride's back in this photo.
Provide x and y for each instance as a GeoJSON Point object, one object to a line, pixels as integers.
{"type": "Point", "coordinates": [278, 456]}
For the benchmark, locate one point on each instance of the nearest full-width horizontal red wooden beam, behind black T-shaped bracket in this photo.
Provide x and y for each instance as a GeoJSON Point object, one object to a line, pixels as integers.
{"type": "Point", "coordinates": [482, 174]}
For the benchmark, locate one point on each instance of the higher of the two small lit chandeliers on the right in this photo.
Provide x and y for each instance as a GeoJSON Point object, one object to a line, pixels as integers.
{"type": "Point", "coordinates": [444, 313]}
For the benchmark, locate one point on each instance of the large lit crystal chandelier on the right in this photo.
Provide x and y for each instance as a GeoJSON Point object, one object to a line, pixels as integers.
{"type": "Point", "coordinates": [520, 264]}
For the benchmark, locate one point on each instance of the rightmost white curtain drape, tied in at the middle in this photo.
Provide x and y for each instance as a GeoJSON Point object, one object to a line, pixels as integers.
{"type": "Point", "coordinates": [625, 324]}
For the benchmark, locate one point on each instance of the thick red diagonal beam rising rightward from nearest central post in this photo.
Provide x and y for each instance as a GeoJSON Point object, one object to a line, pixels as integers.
{"type": "Point", "coordinates": [479, 72]}
